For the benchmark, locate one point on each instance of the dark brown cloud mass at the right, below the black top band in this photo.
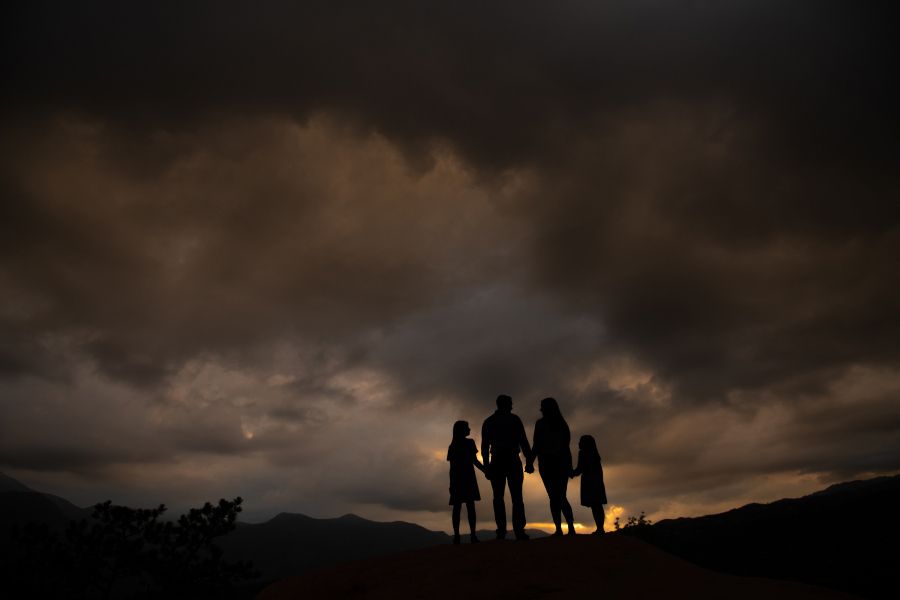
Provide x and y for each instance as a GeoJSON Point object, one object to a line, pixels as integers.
{"type": "Point", "coordinates": [717, 303]}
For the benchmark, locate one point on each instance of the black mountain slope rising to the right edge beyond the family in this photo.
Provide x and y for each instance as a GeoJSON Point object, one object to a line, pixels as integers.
{"type": "Point", "coordinates": [844, 537]}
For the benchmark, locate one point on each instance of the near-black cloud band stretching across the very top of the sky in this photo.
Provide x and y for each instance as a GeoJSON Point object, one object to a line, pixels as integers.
{"type": "Point", "coordinates": [505, 83]}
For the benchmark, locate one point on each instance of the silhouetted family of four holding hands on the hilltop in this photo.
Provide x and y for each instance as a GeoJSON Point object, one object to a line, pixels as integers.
{"type": "Point", "coordinates": [502, 439]}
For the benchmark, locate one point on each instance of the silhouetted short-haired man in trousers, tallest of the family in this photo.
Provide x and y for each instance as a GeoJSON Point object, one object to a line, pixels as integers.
{"type": "Point", "coordinates": [502, 436]}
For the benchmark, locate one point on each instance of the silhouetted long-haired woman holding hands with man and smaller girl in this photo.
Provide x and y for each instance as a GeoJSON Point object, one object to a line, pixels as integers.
{"type": "Point", "coordinates": [551, 449]}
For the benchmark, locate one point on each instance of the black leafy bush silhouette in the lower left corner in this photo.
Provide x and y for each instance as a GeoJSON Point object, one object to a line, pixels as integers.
{"type": "Point", "coordinates": [130, 553]}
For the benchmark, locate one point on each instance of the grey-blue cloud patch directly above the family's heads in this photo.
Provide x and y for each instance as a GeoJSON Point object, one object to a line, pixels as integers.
{"type": "Point", "coordinates": [484, 337]}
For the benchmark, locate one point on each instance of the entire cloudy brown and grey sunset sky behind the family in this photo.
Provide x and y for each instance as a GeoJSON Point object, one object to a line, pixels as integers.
{"type": "Point", "coordinates": [276, 249]}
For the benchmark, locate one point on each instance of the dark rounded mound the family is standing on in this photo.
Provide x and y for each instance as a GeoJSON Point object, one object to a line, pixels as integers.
{"type": "Point", "coordinates": [609, 567]}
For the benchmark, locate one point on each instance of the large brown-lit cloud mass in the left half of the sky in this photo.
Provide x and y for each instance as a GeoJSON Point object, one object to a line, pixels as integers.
{"type": "Point", "coordinates": [261, 233]}
